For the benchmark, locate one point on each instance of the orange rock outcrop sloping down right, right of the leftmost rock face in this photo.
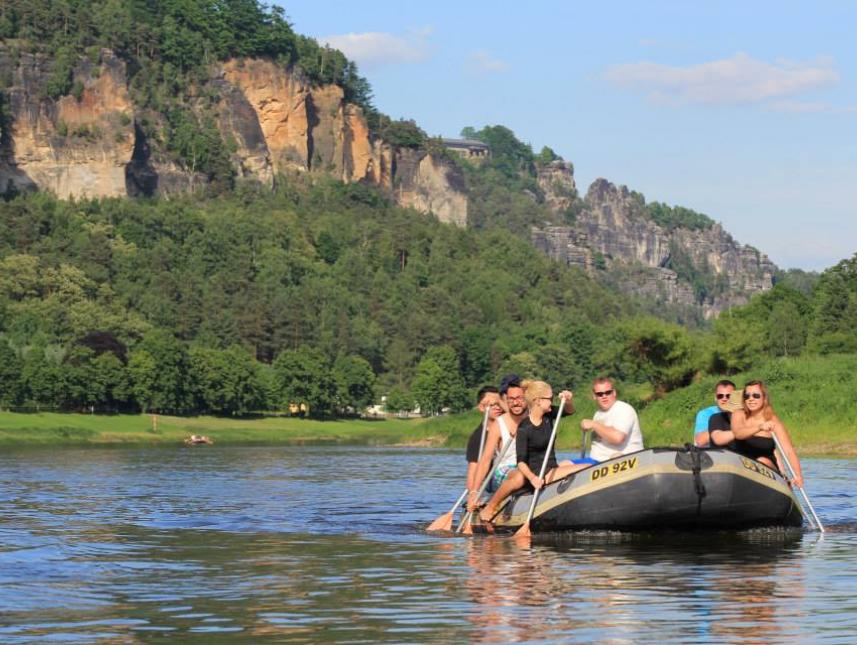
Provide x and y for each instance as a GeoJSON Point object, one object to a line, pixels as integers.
{"type": "Point", "coordinates": [315, 129]}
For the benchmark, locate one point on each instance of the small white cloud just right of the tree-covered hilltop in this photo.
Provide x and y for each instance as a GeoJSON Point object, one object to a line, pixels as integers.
{"type": "Point", "coordinates": [374, 48]}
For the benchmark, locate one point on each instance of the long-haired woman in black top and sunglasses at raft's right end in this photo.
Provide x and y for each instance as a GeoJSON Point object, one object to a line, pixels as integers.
{"type": "Point", "coordinates": [753, 427]}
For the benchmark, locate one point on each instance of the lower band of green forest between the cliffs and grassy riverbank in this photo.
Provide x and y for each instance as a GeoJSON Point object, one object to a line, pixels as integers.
{"type": "Point", "coordinates": [327, 294]}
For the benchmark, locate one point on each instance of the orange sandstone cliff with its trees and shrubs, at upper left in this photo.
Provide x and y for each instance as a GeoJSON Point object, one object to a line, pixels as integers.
{"type": "Point", "coordinates": [88, 122]}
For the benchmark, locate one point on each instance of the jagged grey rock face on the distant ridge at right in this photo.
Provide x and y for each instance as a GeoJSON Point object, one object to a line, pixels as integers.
{"type": "Point", "coordinates": [613, 232]}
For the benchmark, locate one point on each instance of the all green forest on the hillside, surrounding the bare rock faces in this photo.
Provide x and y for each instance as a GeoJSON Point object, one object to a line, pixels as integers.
{"type": "Point", "coordinates": [240, 298]}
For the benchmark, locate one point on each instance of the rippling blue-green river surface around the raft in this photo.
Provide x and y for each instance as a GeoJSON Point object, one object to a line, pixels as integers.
{"type": "Point", "coordinates": [219, 544]}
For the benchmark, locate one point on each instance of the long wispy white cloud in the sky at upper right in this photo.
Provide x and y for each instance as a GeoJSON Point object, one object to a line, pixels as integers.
{"type": "Point", "coordinates": [732, 81]}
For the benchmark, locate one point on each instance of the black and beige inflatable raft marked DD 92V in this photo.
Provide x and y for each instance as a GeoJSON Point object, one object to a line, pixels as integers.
{"type": "Point", "coordinates": [659, 488]}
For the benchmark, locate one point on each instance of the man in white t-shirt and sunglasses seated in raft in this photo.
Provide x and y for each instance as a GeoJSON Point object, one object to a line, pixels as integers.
{"type": "Point", "coordinates": [615, 427]}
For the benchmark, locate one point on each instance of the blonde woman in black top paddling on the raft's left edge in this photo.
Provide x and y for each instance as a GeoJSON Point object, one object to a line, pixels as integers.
{"type": "Point", "coordinates": [531, 444]}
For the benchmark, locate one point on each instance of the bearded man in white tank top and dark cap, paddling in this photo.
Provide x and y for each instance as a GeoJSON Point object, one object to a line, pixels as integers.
{"type": "Point", "coordinates": [500, 434]}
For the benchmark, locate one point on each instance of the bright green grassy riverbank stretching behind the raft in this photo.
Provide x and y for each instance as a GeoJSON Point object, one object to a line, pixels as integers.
{"type": "Point", "coordinates": [814, 397]}
